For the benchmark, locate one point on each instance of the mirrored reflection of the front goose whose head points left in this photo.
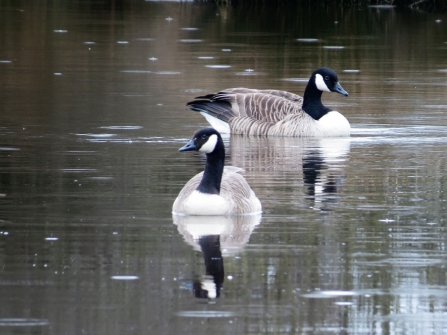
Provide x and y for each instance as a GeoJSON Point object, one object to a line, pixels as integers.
{"type": "Point", "coordinates": [215, 237]}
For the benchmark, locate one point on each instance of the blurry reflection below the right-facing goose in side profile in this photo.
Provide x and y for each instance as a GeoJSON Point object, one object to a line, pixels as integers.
{"type": "Point", "coordinates": [321, 162]}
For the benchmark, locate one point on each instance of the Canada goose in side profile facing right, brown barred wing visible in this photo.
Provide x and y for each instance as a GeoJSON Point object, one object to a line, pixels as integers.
{"type": "Point", "coordinates": [276, 113]}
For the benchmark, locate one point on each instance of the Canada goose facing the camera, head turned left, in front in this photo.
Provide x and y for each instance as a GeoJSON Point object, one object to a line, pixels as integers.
{"type": "Point", "coordinates": [217, 190]}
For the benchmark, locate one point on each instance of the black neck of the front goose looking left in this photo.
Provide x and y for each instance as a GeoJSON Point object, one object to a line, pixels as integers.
{"type": "Point", "coordinates": [212, 176]}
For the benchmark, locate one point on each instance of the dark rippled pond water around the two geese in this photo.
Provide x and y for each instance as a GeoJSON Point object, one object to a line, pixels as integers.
{"type": "Point", "coordinates": [353, 235]}
